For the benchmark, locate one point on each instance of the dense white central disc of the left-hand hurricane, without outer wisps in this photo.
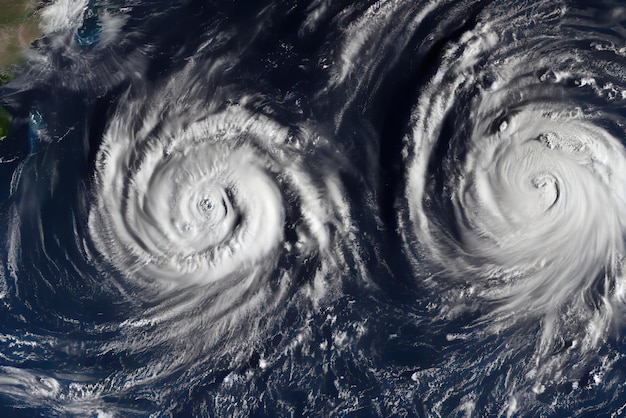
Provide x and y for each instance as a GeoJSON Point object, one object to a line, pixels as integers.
{"type": "Point", "coordinates": [193, 206]}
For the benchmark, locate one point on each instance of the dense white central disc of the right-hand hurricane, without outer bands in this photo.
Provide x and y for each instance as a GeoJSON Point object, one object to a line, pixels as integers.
{"type": "Point", "coordinates": [540, 198]}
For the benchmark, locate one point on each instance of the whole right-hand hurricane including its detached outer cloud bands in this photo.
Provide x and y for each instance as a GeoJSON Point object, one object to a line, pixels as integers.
{"type": "Point", "coordinates": [514, 186]}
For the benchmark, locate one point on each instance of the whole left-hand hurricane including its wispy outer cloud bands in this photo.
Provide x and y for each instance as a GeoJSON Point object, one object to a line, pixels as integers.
{"type": "Point", "coordinates": [210, 214]}
